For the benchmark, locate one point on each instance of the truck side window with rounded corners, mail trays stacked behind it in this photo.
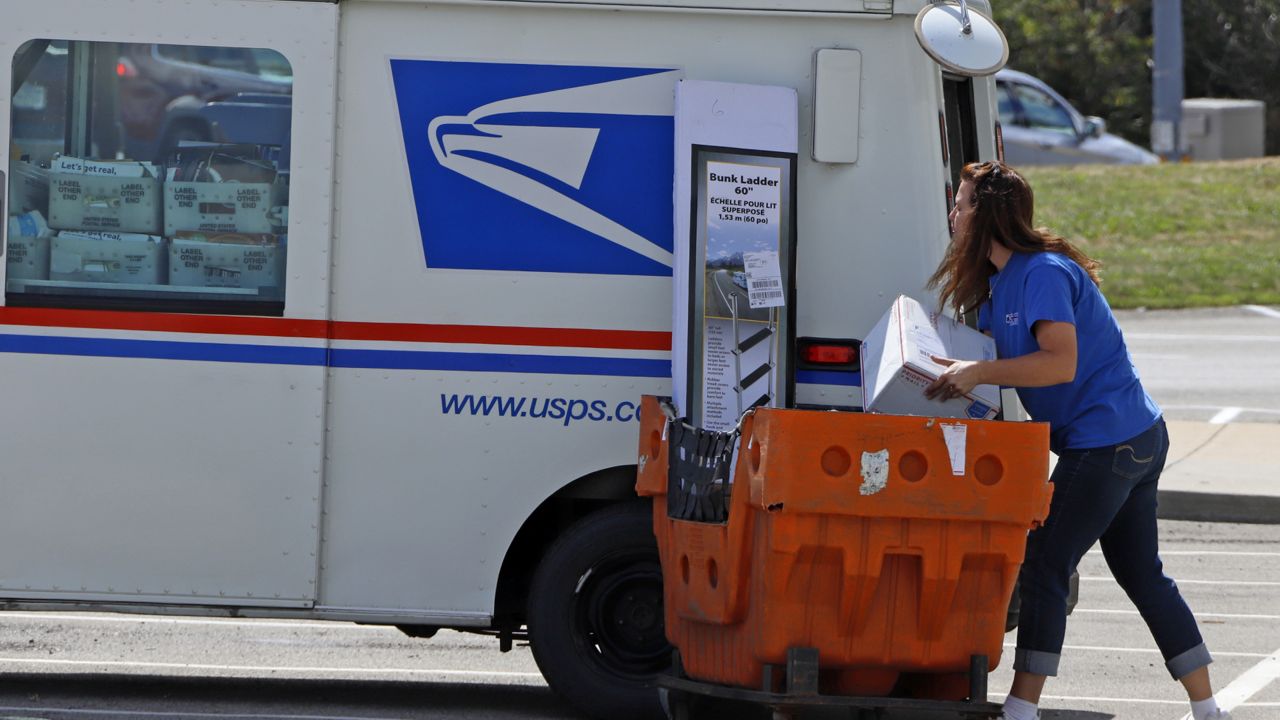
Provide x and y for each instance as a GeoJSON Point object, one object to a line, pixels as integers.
{"type": "Point", "coordinates": [149, 177]}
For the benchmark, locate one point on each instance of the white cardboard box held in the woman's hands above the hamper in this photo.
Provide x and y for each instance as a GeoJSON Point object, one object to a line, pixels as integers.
{"type": "Point", "coordinates": [898, 364]}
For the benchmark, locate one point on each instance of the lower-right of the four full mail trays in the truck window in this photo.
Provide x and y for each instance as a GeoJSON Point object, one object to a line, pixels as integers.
{"type": "Point", "coordinates": [226, 265]}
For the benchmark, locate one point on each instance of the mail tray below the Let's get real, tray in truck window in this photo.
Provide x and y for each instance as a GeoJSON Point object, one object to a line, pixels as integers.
{"type": "Point", "coordinates": [108, 258]}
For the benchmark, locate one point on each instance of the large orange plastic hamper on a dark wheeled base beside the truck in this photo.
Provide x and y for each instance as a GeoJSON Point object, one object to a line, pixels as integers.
{"type": "Point", "coordinates": [890, 544]}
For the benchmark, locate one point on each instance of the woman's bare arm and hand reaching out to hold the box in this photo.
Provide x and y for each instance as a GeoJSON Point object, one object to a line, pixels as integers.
{"type": "Point", "coordinates": [1050, 366]}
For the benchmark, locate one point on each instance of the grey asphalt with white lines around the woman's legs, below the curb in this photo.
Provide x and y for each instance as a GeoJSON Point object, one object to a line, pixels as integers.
{"type": "Point", "coordinates": [1231, 577]}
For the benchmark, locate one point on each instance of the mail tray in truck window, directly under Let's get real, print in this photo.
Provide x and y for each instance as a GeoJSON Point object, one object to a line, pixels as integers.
{"type": "Point", "coordinates": [104, 203]}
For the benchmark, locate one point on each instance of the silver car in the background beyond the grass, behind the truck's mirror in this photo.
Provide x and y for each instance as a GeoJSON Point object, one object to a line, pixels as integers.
{"type": "Point", "coordinates": [1043, 129]}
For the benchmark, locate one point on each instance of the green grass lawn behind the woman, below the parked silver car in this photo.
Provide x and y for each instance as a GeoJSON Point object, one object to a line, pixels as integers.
{"type": "Point", "coordinates": [1182, 235]}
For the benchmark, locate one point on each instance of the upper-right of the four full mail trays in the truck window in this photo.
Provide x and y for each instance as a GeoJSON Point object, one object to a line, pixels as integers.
{"type": "Point", "coordinates": [218, 207]}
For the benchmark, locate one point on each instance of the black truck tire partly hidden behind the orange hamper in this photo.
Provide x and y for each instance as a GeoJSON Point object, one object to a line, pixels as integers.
{"type": "Point", "coordinates": [596, 622]}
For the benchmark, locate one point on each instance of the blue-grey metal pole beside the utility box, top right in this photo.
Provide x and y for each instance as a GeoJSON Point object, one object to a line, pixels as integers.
{"type": "Point", "coordinates": [1167, 20]}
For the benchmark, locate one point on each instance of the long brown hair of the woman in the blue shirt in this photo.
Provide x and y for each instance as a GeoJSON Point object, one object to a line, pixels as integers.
{"type": "Point", "coordinates": [1004, 206]}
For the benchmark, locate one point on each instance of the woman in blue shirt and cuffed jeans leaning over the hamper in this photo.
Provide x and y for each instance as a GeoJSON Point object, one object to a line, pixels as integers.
{"type": "Point", "coordinates": [1059, 345]}
